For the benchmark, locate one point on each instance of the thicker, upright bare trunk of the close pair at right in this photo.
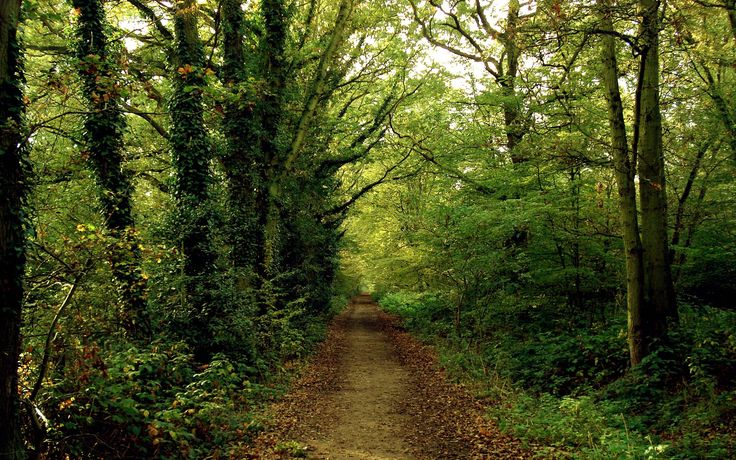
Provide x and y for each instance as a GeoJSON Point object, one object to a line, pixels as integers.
{"type": "Point", "coordinates": [659, 291]}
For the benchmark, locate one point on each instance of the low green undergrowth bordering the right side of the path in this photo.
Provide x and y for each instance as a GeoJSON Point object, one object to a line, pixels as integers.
{"type": "Point", "coordinates": [566, 386]}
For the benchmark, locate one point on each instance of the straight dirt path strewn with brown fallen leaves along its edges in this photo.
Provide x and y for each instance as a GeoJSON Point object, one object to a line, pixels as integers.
{"type": "Point", "coordinates": [374, 392]}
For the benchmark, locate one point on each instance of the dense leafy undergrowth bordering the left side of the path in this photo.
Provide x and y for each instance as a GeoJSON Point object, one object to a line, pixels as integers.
{"type": "Point", "coordinates": [115, 399]}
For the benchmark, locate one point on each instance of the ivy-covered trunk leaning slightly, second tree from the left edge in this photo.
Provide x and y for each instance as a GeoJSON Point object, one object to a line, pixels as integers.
{"type": "Point", "coordinates": [103, 135]}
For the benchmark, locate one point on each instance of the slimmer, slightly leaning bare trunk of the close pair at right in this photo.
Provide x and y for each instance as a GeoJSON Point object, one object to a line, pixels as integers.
{"type": "Point", "coordinates": [624, 173]}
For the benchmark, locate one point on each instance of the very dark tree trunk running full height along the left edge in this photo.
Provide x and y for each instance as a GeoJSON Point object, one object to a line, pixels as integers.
{"type": "Point", "coordinates": [12, 240]}
